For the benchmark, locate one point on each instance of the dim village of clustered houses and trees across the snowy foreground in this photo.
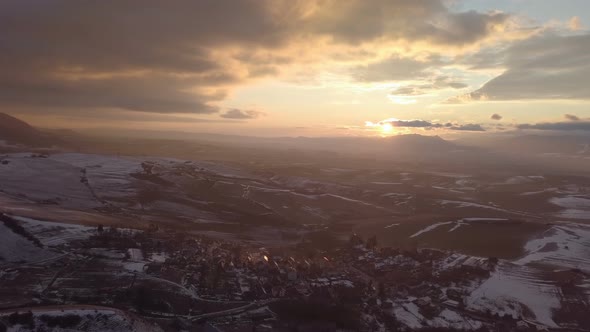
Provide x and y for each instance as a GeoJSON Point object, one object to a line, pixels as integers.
{"type": "Point", "coordinates": [176, 279]}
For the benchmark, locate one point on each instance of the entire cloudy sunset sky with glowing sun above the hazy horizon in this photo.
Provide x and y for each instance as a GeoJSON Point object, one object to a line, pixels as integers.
{"type": "Point", "coordinates": [298, 67]}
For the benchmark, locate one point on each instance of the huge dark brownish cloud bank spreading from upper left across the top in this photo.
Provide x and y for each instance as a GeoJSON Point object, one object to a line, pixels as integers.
{"type": "Point", "coordinates": [186, 56]}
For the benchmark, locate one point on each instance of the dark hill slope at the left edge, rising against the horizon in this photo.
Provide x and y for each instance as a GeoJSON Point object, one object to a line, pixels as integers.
{"type": "Point", "coordinates": [15, 131]}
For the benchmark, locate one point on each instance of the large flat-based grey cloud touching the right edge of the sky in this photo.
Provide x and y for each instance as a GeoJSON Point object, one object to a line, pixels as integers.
{"type": "Point", "coordinates": [541, 68]}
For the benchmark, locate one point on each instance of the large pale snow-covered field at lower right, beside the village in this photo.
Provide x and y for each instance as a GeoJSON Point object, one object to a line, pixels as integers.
{"type": "Point", "coordinates": [518, 287]}
